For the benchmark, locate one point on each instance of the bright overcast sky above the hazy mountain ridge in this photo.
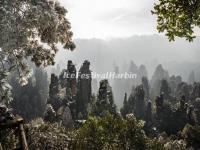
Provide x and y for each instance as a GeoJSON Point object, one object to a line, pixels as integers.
{"type": "Point", "coordinates": [110, 18]}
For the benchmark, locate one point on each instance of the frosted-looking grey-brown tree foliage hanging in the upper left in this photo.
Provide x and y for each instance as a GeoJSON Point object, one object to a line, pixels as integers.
{"type": "Point", "coordinates": [30, 29]}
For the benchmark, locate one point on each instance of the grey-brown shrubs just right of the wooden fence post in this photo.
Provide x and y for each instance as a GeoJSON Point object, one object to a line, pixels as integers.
{"type": "Point", "coordinates": [47, 136]}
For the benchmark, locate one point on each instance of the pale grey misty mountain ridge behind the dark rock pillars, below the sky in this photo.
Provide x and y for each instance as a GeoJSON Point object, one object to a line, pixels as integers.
{"type": "Point", "coordinates": [179, 57]}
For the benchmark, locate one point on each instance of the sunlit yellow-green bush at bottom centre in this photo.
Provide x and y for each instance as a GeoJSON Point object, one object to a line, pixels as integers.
{"type": "Point", "coordinates": [112, 133]}
